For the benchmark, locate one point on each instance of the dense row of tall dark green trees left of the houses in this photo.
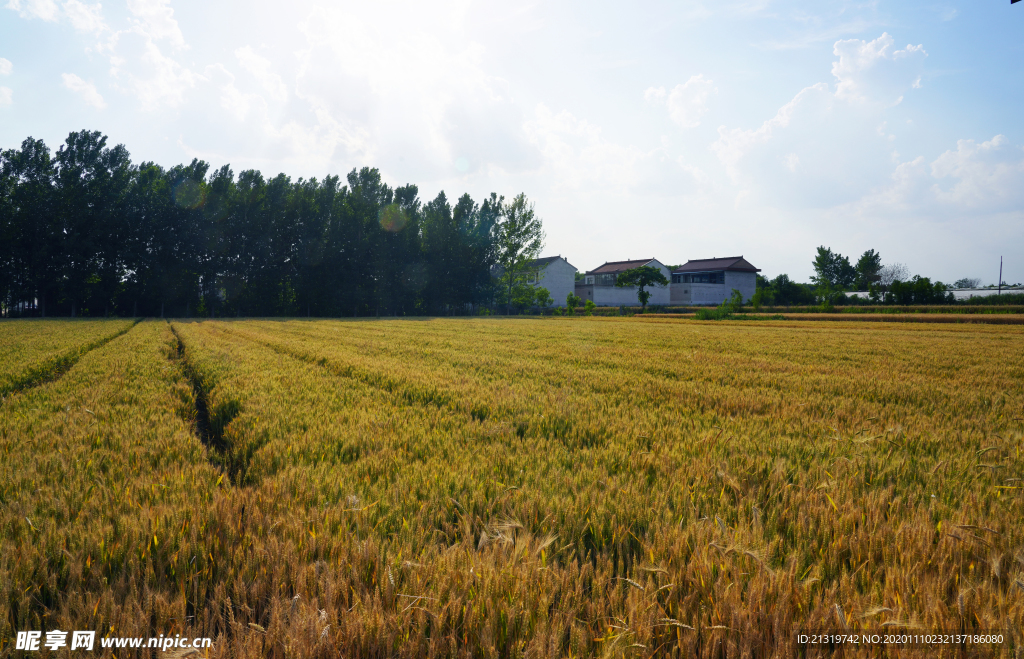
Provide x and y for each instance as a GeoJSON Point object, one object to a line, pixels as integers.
{"type": "Point", "coordinates": [86, 232]}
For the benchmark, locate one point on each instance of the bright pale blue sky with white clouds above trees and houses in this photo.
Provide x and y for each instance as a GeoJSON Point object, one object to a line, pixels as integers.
{"type": "Point", "coordinates": [674, 130]}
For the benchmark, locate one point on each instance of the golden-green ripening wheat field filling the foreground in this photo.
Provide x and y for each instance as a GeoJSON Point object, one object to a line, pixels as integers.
{"type": "Point", "coordinates": [556, 488]}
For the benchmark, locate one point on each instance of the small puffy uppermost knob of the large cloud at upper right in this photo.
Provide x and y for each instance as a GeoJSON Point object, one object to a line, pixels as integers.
{"type": "Point", "coordinates": [872, 71]}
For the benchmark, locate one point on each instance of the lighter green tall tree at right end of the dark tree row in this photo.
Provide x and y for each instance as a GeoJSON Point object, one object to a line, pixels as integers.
{"type": "Point", "coordinates": [519, 240]}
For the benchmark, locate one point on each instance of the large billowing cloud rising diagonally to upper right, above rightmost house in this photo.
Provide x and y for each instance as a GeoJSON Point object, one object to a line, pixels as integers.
{"type": "Point", "coordinates": [826, 148]}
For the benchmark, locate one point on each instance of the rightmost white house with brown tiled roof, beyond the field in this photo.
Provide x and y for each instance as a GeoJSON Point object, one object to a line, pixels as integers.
{"type": "Point", "coordinates": [712, 281]}
